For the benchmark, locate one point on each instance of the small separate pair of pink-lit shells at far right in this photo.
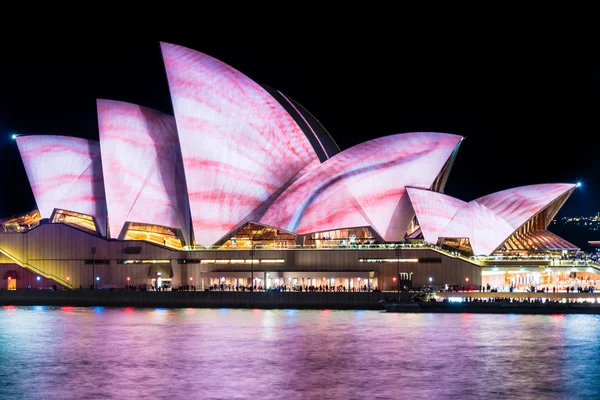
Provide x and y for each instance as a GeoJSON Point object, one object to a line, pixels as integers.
{"type": "Point", "coordinates": [487, 221]}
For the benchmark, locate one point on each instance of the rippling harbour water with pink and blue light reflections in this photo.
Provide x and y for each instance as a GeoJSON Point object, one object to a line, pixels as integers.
{"type": "Point", "coordinates": [75, 353]}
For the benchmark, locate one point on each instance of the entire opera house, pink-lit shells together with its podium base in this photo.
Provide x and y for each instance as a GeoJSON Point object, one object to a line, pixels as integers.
{"type": "Point", "coordinates": [244, 182]}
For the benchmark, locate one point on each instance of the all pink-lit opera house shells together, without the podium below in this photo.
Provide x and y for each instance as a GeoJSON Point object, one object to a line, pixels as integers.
{"type": "Point", "coordinates": [240, 164]}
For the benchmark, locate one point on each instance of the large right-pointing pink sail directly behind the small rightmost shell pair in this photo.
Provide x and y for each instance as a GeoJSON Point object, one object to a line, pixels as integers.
{"type": "Point", "coordinates": [381, 168]}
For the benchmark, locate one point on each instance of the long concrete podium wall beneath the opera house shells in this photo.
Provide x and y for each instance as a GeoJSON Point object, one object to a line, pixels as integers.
{"type": "Point", "coordinates": [61, 250]}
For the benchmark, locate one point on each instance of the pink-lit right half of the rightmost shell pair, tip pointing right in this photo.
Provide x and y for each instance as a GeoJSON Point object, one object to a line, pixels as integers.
{"type": "Point", "coordinates": [518, 205]}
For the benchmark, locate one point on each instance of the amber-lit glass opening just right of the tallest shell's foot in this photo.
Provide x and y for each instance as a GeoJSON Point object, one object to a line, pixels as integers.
{"type": "Point", "coordinates": [260, 235]}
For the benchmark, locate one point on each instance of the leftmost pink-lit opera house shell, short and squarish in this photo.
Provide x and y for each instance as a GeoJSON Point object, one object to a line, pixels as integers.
{"type": "Point", "coordinates": [65, 173]}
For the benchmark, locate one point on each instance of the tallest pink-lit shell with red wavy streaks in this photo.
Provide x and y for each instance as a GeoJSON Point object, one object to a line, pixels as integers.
{"type": "Point", "coordinates": [239, 145]}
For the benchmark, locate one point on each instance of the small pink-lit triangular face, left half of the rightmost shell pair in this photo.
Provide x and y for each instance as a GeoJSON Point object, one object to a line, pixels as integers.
{"type": "Point", "coordinates": [434, 211]}
